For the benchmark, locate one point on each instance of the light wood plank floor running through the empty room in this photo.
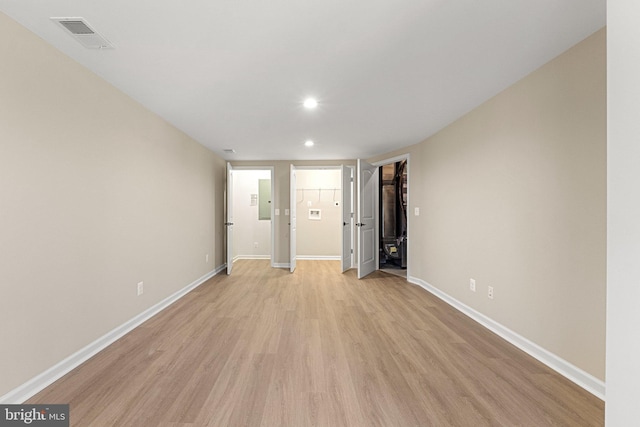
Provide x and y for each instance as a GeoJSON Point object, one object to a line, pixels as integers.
{"type": "Point", "coordinates": [264, 347]}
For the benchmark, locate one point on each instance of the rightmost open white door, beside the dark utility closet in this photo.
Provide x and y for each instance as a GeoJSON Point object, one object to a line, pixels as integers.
{"type": "Point", "coordinates": [367, 218]}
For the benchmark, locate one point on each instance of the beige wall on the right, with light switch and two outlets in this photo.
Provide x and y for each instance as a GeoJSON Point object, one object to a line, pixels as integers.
{"type": "Point", "coordinates": [513, 194]}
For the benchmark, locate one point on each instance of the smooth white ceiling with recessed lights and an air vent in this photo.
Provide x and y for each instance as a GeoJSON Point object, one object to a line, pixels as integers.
{"type": "Point", "coordinates": [387, 74]}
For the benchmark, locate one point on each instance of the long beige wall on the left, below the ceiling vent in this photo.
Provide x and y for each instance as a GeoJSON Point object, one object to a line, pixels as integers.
{"type": "Point", "coordinates": [96, 194]}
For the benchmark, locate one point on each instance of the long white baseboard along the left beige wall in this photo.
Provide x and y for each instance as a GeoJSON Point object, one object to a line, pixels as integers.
{"type": "Point", "coordinates": [57, 371]}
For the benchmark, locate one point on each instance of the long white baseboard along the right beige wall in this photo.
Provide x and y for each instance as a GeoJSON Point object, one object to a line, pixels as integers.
{"type": "Point", "coordinates": [585, 380]}
